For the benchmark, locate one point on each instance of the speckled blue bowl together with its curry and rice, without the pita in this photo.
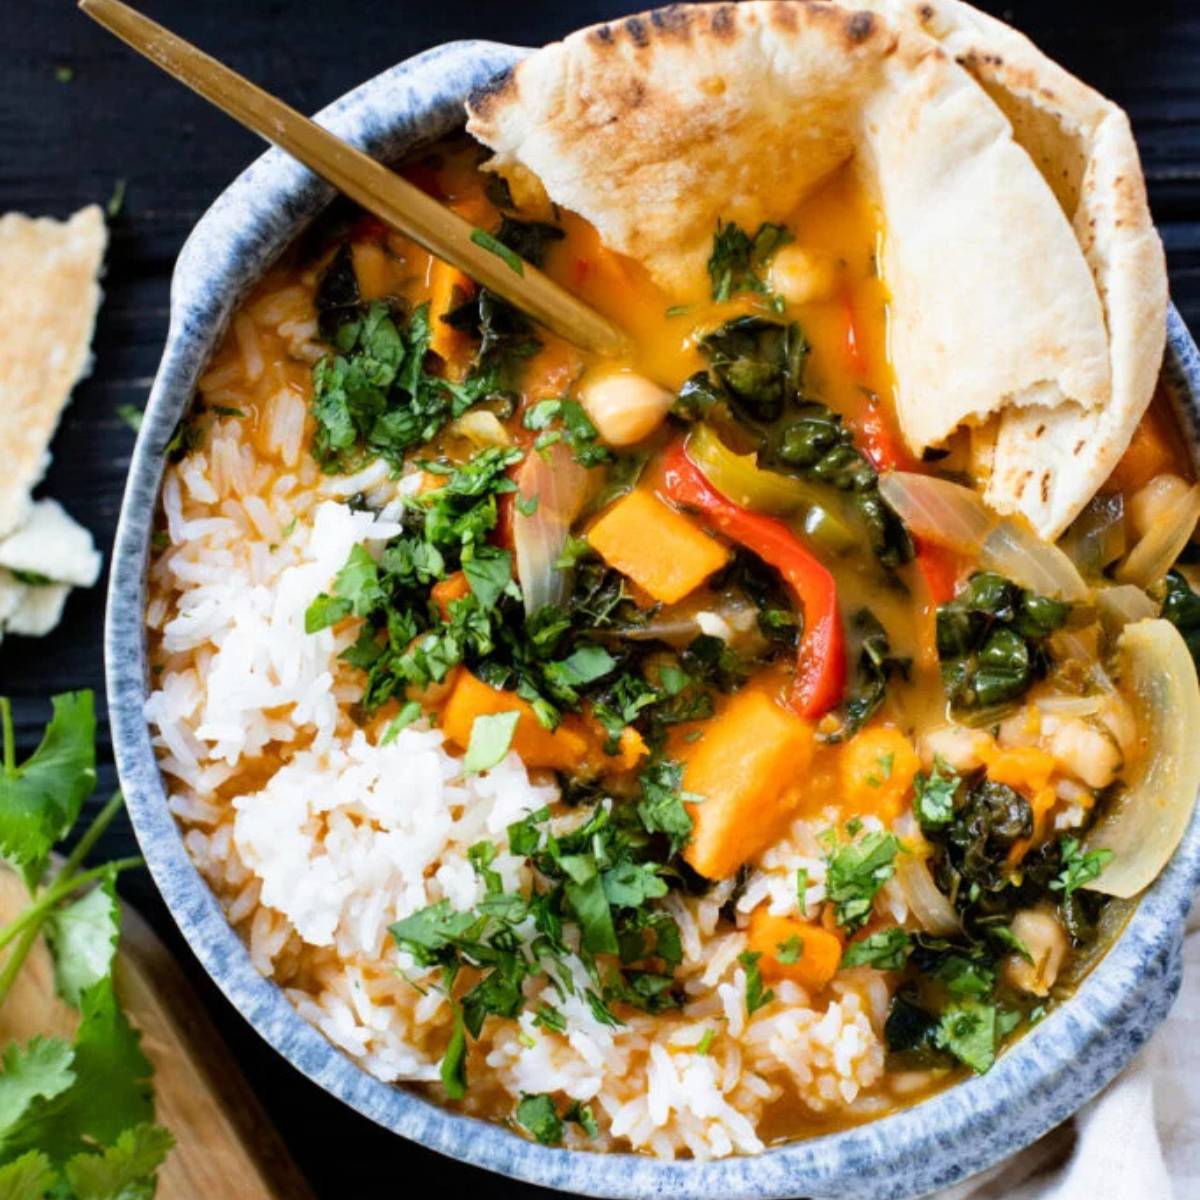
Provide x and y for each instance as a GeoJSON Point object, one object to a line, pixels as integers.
{"type": "Point", "coordinates": [663, 775]}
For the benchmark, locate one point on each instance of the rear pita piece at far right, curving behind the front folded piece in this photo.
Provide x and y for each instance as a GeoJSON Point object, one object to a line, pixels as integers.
{"type": "Point", "coordinates": [1048, 464]}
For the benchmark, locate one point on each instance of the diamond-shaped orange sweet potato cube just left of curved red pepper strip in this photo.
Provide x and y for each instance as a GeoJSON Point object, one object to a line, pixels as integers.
{"type": "Point", "coordinates": [664, 553]}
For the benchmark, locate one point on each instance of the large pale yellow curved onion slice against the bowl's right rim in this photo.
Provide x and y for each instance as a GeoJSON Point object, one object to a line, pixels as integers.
{"type": "Point", "coordinates": [1147, 823]}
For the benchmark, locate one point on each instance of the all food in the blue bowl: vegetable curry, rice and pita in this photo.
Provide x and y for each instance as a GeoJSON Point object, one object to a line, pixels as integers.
{"type": "Point", "coordinates": [715, 748]}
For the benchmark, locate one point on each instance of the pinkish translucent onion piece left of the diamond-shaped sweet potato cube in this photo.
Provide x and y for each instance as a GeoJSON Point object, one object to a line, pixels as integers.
{"type": "Point", "coordinates": [561, 487]}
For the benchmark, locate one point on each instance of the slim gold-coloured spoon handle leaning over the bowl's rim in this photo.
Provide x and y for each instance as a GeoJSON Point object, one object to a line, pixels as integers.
{"type": "Point", "coordinates": [387, 195]}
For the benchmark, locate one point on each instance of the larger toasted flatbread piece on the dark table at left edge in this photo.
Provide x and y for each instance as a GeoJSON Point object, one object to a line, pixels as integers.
{"type": "Point", "coordinates": [49, 301]}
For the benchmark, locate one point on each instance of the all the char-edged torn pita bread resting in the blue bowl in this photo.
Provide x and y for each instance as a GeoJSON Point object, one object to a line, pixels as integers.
{"type": "Point", "coordinates": [1004, 291]}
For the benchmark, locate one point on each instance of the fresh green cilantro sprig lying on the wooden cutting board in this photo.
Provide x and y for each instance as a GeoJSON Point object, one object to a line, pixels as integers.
{"type": "Point", "coordinates": [76, 1118]}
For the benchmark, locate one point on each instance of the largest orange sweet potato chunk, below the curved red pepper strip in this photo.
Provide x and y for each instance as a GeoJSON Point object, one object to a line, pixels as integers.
{"type": "Point", "coordinates": [748, 767]}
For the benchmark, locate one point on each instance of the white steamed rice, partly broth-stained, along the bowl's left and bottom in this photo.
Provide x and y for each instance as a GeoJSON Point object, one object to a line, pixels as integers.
{"type": "Point", "coordinates": [316, 839]}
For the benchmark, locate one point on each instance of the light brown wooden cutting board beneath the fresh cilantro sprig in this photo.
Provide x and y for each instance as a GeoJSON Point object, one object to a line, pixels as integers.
{"type": "Point", "coordinates": [225, 1144]}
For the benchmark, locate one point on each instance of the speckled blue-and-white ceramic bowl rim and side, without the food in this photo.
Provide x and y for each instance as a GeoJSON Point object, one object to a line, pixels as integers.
{"type": "Point", "coordinates": [1035, 1085]}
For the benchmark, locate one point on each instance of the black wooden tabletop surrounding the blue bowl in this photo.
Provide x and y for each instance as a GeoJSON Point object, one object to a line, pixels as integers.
{"type": "Point", "coordinates": [80, 112]}
